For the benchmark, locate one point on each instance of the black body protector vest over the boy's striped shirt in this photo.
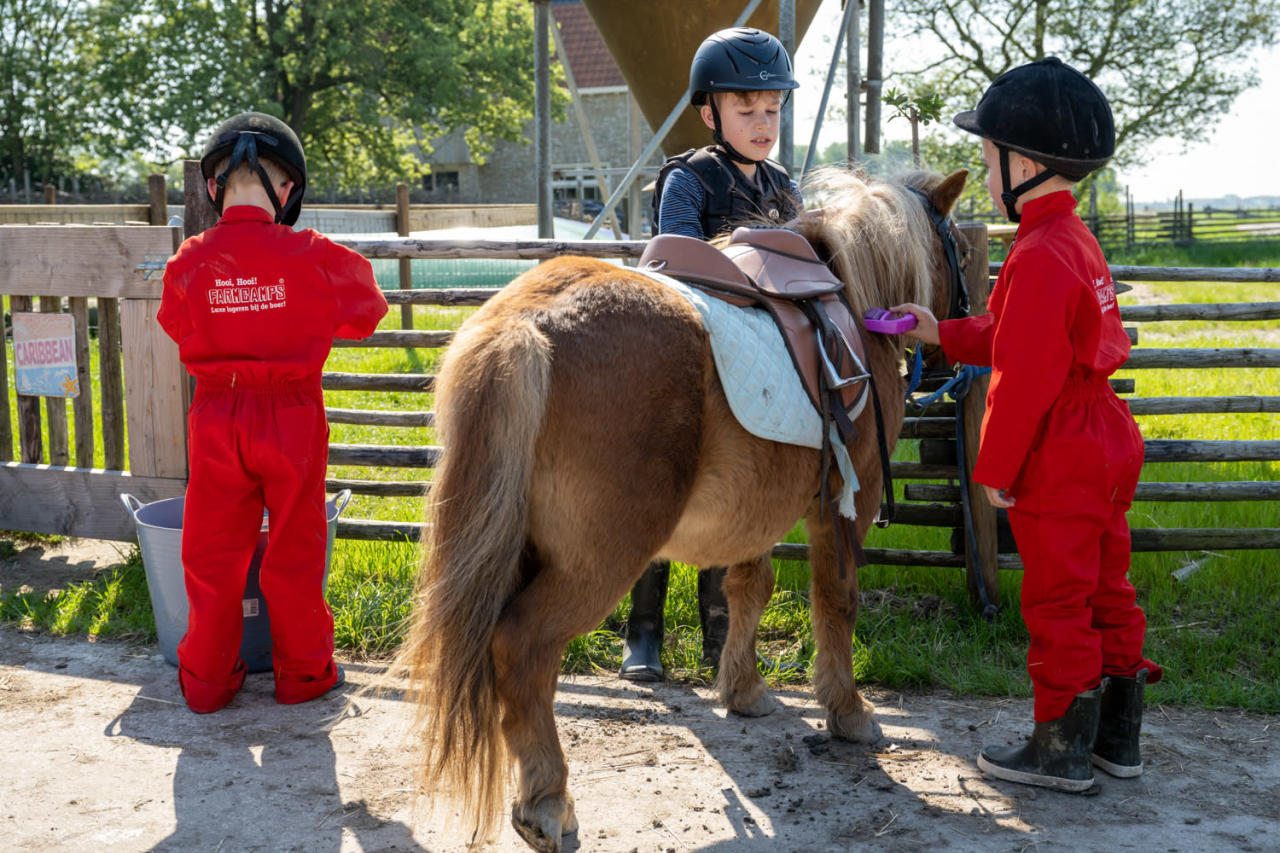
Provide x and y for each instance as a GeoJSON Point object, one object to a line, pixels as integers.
{"type": "Point", "coordinates": [729, 198]}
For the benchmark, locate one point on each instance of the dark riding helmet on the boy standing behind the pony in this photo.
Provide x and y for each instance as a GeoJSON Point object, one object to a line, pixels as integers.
{"type": "Point", "coordinates": [740, 60]}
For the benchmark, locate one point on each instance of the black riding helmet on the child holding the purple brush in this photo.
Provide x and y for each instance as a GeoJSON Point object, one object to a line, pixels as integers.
{"type": "Point", "coordinates": [1050, 113]}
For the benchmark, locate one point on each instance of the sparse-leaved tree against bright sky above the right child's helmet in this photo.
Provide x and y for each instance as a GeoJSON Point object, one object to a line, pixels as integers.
{"type": "Point", "coordinates": [1167, 66]}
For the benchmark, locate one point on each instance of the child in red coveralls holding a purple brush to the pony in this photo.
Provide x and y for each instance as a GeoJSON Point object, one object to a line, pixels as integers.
{"type": "Point", "coordinates": [1059, 450]}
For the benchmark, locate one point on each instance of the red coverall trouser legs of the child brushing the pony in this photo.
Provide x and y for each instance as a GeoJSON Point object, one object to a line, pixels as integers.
{"type": "Point", "coordinates": [1069, 522]}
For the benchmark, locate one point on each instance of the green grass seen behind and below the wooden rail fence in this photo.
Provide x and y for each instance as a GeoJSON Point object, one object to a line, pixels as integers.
{"type": "Point", "coordinates": [1214, 631]}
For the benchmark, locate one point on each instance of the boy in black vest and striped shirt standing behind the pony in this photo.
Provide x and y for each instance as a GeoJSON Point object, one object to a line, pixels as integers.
{"type": "Point", "coordinates": [739, 80]}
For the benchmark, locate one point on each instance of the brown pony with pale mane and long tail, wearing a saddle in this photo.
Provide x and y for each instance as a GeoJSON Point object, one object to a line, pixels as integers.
{"type": "Point", "coordinates": [586, 435]}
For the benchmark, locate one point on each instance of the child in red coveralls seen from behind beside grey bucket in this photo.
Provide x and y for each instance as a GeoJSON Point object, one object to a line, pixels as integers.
{"type": "Point", "coordinates": [254, 308]}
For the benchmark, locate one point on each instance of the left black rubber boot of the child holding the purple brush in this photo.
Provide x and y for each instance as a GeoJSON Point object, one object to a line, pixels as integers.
{"type": "Point", "coordinates": [1058, 752]}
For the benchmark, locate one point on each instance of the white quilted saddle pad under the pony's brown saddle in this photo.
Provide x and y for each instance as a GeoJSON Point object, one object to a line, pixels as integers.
{"type": "Point", "coordinates": [760, 380]}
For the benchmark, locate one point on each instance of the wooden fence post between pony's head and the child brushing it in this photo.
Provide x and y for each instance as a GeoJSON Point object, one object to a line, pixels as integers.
{"type": "Point", "coordinates": [982, 514]}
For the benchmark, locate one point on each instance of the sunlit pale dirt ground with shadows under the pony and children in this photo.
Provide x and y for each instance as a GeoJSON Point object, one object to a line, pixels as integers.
{"type": "Point", "coordinates": [100, 755]}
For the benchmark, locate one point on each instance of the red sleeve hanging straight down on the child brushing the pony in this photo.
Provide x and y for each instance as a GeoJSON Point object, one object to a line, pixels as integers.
{"type": "Point", "coordinates": [1032, 355]}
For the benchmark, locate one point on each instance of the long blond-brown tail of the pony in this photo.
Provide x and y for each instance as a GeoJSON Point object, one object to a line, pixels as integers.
{"type": "Point", "coordinates": [491, 398]}
